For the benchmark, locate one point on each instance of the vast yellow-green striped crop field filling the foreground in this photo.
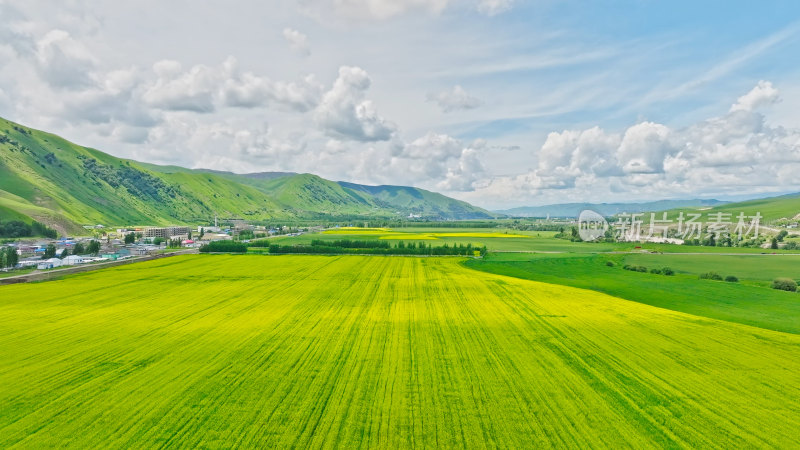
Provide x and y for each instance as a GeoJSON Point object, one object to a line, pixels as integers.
{"type": "Point", "coordinates": [315, 351]}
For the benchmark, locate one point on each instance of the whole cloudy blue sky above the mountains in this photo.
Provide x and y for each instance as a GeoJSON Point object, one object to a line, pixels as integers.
{"type": "Point", "coordinates": [498, 102]}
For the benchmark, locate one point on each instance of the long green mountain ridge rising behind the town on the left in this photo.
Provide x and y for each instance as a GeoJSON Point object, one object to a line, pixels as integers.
{"type": "Point", "coordinates": [64, 185]}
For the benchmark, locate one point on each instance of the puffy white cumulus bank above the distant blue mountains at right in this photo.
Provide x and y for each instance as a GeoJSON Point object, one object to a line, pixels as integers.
{"type": "Point", "coordinates": [730, 152]}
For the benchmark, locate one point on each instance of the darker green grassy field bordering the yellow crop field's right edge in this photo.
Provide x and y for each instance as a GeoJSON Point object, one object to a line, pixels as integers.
{"type": "Point", "coordinates": [750, 303]}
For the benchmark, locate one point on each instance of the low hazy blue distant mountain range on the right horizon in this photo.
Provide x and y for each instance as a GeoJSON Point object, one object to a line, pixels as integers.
{"type": "Point", "coordinates": [572, 210]}
